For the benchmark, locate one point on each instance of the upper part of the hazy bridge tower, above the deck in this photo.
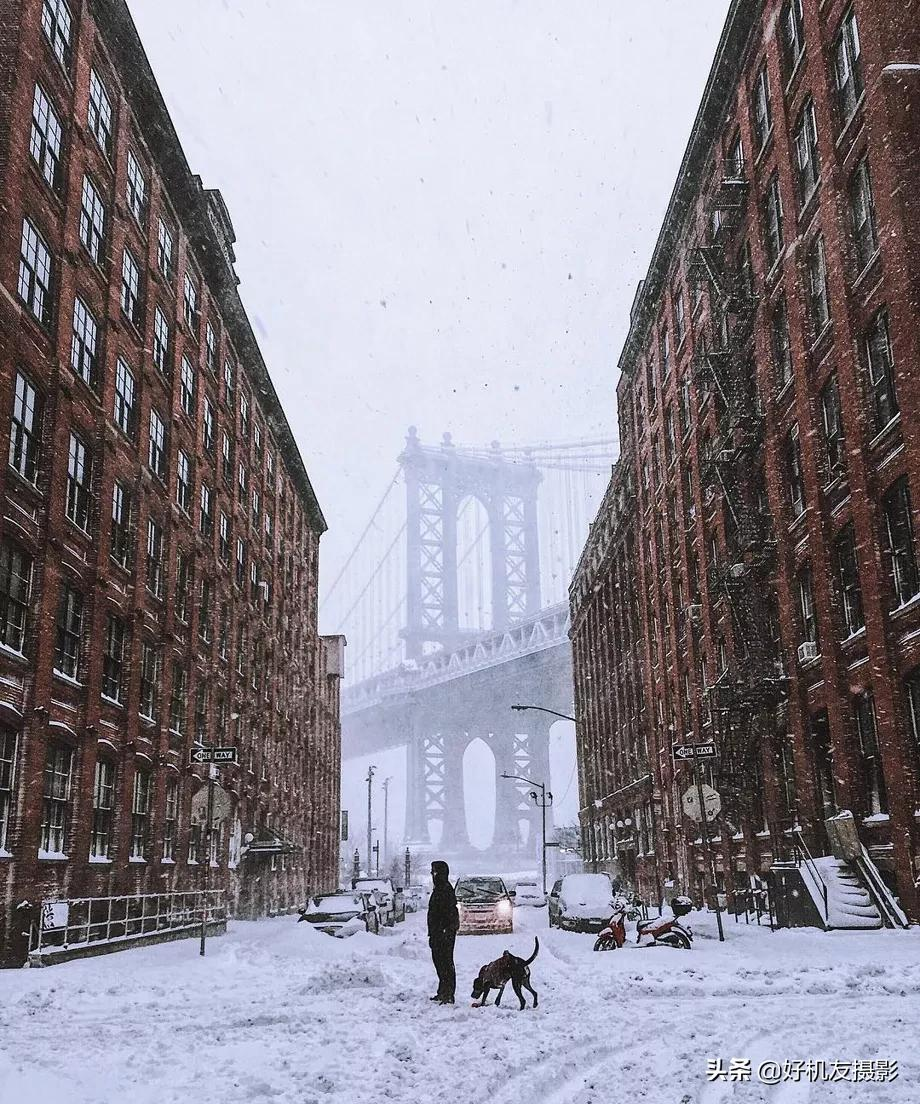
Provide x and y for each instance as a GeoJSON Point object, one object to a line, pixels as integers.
{"type": "Point", "coordinates": [438, 480]}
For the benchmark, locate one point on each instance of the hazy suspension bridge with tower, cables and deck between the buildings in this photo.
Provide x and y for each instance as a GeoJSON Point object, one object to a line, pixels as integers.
{"type": "Point", "coordinates": [454, 602]}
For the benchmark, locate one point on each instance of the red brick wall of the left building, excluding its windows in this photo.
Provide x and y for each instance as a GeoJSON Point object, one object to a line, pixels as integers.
{"type": "Point", "coordinates": [281, 708]}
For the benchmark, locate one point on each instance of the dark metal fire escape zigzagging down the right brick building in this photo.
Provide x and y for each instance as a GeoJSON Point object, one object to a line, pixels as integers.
{"type": "Point", "coordinates": [747, 699]}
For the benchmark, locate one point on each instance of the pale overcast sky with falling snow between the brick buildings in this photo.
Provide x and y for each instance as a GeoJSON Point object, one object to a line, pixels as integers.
{"type": "Point", "coordinates": [442, 213]}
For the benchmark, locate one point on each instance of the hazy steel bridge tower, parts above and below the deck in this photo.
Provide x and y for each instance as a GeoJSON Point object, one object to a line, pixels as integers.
{"type": "Point", "coordinates": [438, 481]}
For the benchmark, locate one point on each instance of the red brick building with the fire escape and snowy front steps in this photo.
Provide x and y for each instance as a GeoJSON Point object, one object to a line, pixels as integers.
{"type": "Point", "coordinates": [766, 503]}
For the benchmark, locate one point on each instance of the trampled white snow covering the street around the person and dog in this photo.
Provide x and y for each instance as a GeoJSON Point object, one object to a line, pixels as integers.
{"type": "Point", "coordinates": [280, 1013]}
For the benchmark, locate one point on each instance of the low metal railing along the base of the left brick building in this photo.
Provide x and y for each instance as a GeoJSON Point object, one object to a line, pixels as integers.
{"type": "Point", "coordinates": [82, 922]}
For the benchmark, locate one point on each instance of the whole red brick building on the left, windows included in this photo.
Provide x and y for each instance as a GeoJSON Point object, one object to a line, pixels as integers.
{"type": "Point", "coordinates": [160, 534]}
